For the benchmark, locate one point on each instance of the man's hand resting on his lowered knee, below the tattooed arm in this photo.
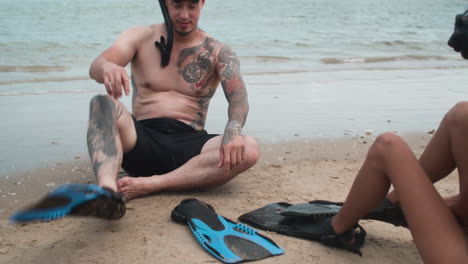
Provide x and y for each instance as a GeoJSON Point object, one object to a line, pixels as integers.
{"type": "Point", "coordinates": [232, 150]}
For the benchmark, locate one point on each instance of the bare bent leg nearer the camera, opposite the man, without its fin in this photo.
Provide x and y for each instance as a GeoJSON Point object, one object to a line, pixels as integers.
{"type": "Point", "coordinates": [435, 230]}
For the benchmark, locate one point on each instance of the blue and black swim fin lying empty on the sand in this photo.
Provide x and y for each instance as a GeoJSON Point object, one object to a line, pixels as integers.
{"type": "Point", "coordinates": [228, 241]}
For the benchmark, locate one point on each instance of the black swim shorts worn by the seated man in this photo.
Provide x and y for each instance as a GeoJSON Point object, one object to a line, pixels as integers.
{"type": "Point", "coordinates": [163, 145]}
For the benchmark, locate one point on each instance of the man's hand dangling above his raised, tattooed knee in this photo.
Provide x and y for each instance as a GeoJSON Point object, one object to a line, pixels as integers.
{"type": "Point", "coordinates": [115, 78]}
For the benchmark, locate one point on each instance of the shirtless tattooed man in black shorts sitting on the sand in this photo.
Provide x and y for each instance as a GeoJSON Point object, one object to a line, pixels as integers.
{"type": "Point", "coordinates": [162, 144]}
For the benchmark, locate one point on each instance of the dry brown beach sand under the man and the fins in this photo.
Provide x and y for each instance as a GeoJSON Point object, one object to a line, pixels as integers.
{"type": "Point", "coordinates": [291, 172]}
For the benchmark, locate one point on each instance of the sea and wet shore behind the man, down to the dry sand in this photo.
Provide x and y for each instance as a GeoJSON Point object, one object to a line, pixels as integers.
{"type": "Point", "coordinates": [314, 68]}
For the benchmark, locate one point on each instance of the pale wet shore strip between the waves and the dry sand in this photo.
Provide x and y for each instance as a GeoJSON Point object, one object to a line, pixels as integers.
{"type": "Point", "coordinates": [286, 107]}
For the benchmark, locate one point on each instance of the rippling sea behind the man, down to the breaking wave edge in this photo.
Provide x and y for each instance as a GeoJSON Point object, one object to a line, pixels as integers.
{"type": "Point", "coordinates": [55, 40]}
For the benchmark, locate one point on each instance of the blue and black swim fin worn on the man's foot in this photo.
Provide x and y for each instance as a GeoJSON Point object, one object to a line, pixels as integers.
{"type": "Point", "coordinates": [74, 199]}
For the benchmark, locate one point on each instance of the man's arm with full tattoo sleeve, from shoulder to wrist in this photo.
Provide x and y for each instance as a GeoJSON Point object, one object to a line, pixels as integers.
{"type": "Point", "coordinates": [235, 91]}
